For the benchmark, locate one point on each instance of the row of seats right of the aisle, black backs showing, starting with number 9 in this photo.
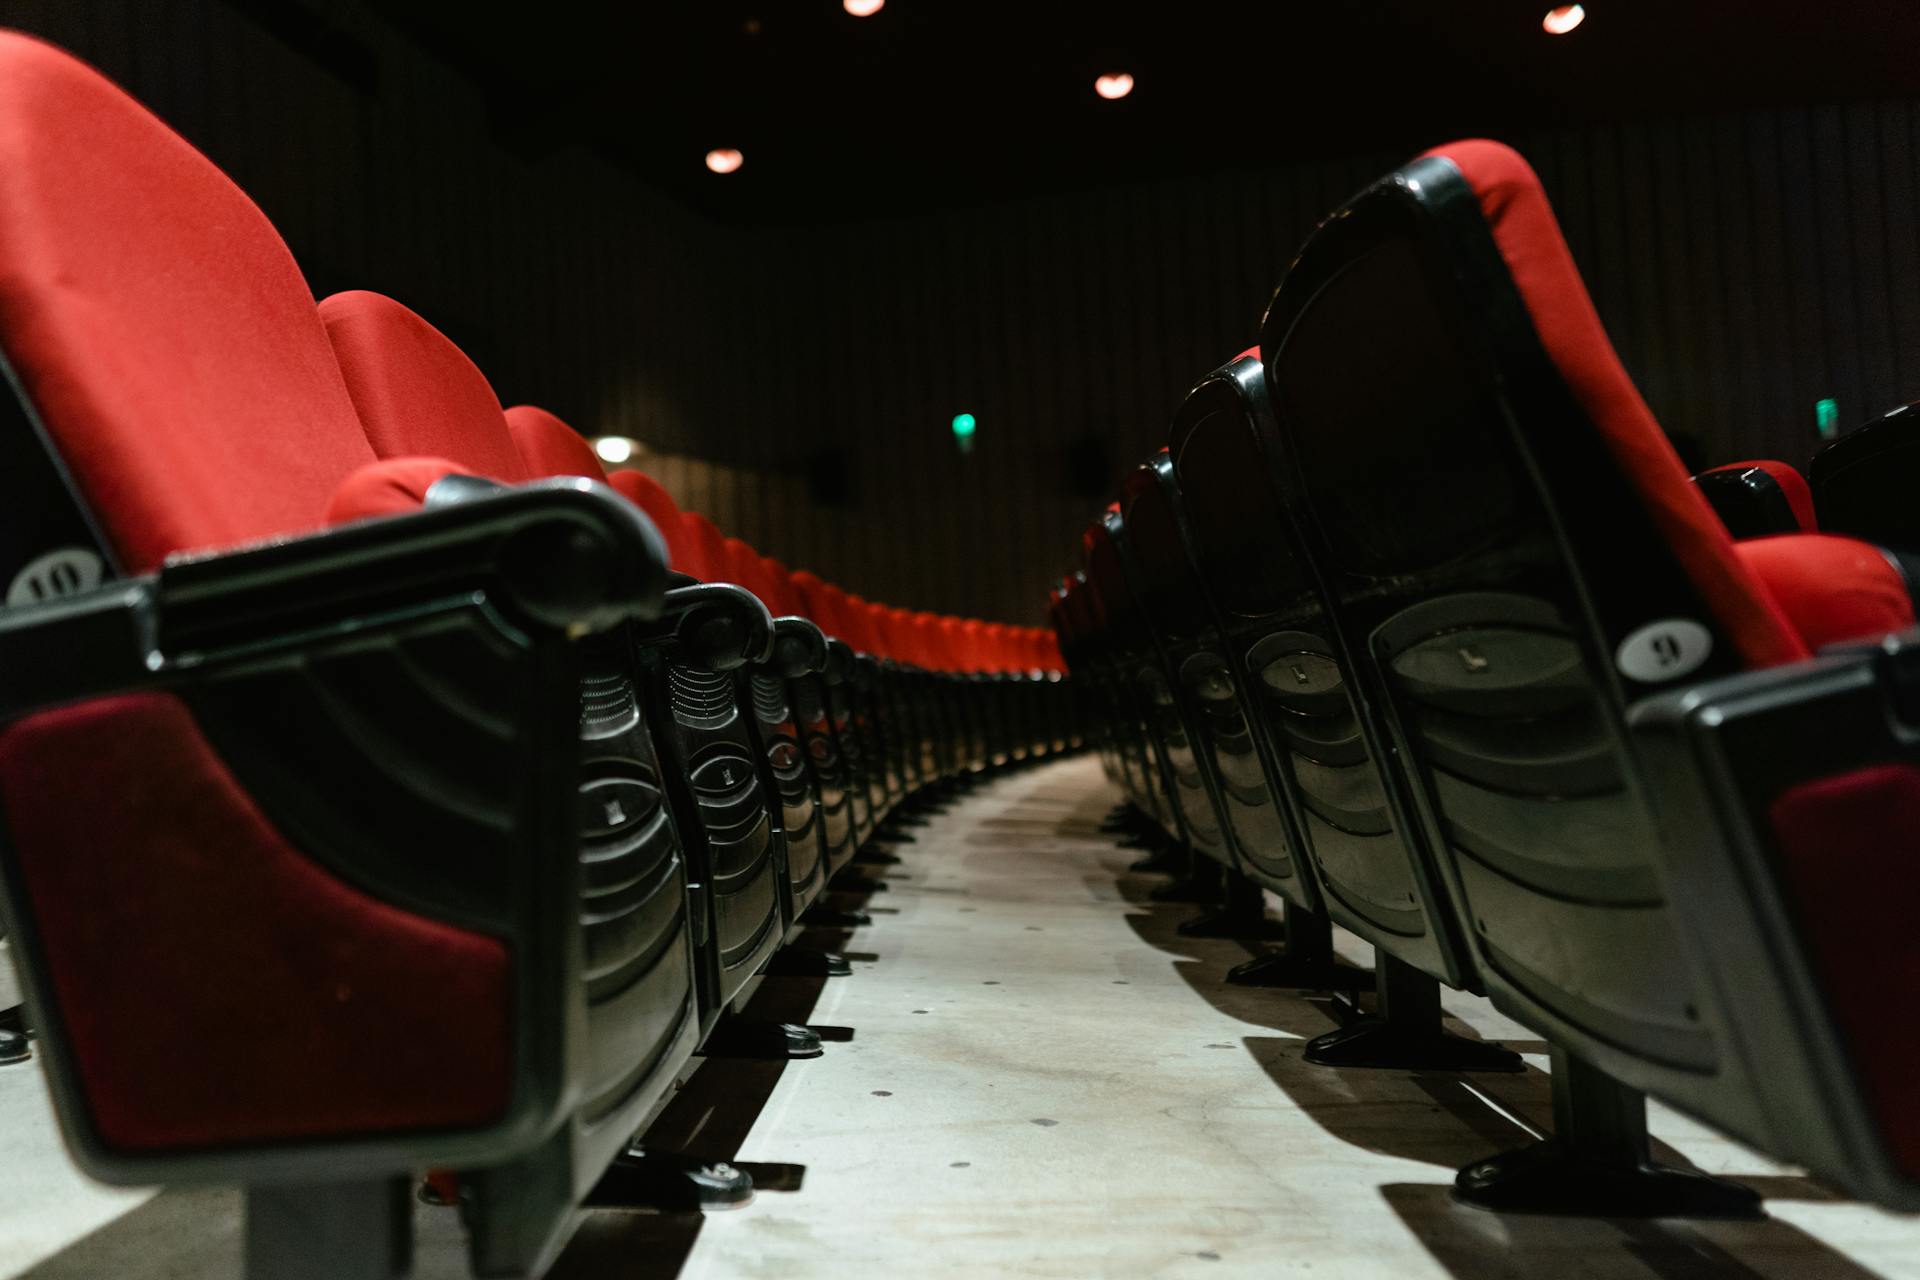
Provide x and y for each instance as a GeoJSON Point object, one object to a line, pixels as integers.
{"type": "Point", "coordinates": [1420, 625]}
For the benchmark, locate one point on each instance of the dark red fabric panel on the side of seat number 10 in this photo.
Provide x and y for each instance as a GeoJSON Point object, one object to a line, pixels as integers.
{"type": "Point", "coordinates": [216, 985]}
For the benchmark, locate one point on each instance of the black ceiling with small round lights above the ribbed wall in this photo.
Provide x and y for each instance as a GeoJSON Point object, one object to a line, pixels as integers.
{"type": "Point", "coordinates": [940, 103]}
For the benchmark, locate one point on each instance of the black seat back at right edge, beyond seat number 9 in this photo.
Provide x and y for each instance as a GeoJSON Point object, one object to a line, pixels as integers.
{"type": "Point", "coordinates": [1867, 483]}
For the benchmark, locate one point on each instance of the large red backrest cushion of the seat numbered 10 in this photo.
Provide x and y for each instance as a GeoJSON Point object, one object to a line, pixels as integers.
{"type": "Point", "coordinates": [158, 323]}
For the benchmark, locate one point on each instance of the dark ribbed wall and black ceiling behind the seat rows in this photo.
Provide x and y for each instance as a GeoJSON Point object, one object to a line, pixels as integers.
{"type": "Point", "coordinates": [938, 216]}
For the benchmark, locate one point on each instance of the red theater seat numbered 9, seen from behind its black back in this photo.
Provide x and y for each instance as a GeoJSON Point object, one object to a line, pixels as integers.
{"type": "Point", "coordinates": [1537, 604]}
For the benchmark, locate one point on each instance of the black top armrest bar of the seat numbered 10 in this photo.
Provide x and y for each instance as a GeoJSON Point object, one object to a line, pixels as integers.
{"type": "Point", "coordinates": [558, 556]}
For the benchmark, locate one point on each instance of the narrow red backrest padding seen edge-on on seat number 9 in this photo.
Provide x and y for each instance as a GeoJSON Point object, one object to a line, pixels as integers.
{"type": "Point", "coordinates": [1522, 222]}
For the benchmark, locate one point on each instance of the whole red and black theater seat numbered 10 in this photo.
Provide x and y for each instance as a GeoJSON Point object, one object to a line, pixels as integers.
{"type": "Point", "coordinates": [299, 782]}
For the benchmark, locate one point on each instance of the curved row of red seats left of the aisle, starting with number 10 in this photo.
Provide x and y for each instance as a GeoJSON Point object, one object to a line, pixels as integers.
{"type": "Point", "coordinates": [387, 790]}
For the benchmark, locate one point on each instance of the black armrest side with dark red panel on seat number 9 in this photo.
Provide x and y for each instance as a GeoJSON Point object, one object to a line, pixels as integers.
{"type": "Point", "coordinates": [1787, 849]}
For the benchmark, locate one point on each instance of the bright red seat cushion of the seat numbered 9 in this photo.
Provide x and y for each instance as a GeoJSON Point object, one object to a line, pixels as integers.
{"type": "Point", "coordinates": [1831, 588]}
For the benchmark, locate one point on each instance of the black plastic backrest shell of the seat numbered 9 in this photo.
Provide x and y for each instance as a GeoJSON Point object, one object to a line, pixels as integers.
{"type": "Point", "coordinates": [1499, 584]}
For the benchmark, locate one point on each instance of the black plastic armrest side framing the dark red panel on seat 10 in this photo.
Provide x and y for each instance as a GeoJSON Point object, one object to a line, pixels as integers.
{"type": "Point", "coordinates": [400, 701]}
